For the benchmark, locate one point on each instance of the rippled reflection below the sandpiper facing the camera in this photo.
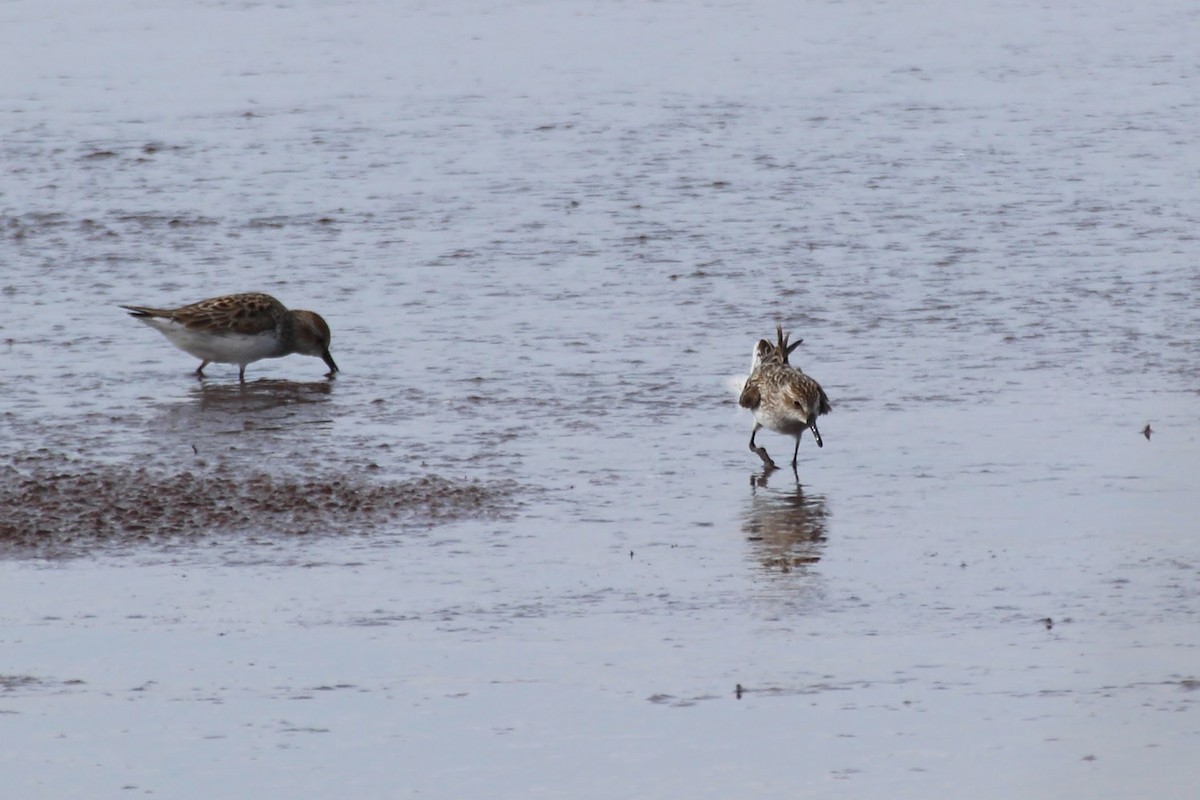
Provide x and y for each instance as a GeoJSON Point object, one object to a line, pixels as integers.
{"type": "Point", "coordinates": [787, 527]}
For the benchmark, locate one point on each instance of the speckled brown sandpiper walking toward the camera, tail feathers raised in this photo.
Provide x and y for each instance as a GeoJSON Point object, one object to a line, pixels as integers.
{"type": "Point", "coordinates": [782, 398]}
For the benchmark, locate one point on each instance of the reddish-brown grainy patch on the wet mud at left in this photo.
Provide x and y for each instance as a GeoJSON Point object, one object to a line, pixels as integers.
{"type": "Point", "coordinates": [57, 508]}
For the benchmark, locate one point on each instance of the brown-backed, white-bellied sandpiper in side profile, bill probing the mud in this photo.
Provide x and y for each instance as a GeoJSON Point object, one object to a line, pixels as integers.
{"type": "Point", "coordinates": [241, 329]}
